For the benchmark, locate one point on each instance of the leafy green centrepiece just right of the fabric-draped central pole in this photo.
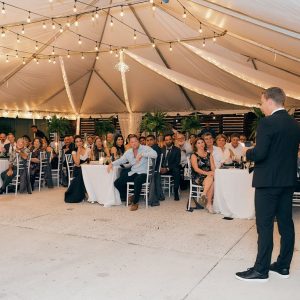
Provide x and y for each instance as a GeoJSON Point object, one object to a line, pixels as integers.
{"type": "Point", "coordinates": [154, 123]}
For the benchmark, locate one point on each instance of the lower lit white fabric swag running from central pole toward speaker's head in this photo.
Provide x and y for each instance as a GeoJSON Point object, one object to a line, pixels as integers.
{"type": "Point", "coordinates": [193, 84]}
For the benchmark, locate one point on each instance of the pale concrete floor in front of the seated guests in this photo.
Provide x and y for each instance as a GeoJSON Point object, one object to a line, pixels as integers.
{"type": "Point", "coordinates": [53, 250]}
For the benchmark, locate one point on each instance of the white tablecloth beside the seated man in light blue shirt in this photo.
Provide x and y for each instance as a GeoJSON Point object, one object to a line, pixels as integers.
{"type": "Point", "coordinates": [99, 184]}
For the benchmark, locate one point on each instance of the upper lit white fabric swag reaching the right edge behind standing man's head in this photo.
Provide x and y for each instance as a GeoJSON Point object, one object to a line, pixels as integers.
{"type": "Point", "coordinates": [245, 73]}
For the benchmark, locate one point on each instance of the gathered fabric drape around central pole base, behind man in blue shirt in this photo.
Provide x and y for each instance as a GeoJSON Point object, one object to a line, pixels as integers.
{"type": "Point", "coordinates": [130, 123]}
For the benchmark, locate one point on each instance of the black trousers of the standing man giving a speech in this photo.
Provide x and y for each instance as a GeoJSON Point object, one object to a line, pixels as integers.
{"type": "Point", "coordinates": [271, 203]}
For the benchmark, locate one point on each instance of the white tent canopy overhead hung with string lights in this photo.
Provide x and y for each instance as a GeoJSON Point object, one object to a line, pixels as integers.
{"type": "Point", "coordinates": [257, 46]}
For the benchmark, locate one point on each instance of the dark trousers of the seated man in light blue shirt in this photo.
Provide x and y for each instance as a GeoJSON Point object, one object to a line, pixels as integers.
{"type": "Point", "coordinates": [121, 184]}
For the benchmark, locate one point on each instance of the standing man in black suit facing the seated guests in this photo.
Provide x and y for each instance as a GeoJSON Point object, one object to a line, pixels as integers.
{"type": "Point", "coordinates": [274, 179]}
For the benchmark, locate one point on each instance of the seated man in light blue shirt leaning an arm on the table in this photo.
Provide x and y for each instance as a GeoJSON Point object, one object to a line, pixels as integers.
{"type": "Point", "coordinates": [137, 157]}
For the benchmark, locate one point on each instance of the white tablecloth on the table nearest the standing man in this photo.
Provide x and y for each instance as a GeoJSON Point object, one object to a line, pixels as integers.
{"type": "Point", "coordinates": [234, 195]}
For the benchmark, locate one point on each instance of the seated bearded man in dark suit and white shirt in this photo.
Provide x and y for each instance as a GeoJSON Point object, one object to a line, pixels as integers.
{"type": "Point", "coordinates": [171, 163]}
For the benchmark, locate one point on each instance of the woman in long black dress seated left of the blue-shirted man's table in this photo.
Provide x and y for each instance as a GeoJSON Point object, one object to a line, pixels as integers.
{"type": "Point", "coordinates": [76, 191]}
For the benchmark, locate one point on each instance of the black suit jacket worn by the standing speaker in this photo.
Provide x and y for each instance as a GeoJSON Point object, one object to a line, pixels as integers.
{"type": "Point", "coordinates": [275, 153]}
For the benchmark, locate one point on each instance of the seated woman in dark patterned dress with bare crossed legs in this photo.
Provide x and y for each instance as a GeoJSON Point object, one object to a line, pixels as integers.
{"type": "Point", "coordinates": [203, 168]}
